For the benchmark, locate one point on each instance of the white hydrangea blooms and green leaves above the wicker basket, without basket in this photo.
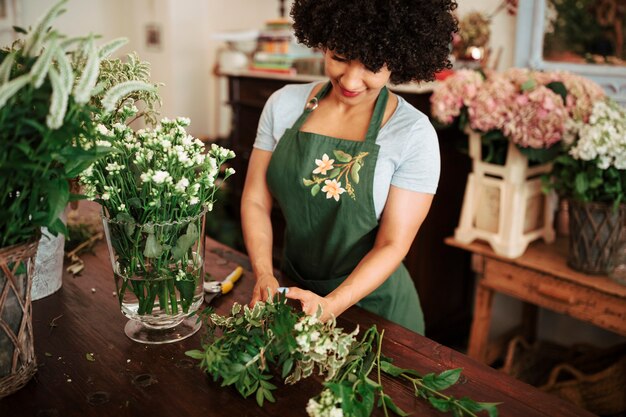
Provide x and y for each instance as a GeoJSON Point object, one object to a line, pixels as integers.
{"type": "Point", "coordinates": [594, 167]}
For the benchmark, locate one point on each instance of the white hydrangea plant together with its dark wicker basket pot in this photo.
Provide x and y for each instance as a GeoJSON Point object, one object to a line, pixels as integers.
{"type": "Point", "coordinates": [591, 175]}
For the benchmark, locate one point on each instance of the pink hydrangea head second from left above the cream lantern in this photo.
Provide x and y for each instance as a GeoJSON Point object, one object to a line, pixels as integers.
{"type": "Point", "coordinates": [488, 110]}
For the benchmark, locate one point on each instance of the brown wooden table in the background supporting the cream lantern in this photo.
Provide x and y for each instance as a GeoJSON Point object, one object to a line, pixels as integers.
{"type": "Point", "coordinates": [540, 278]}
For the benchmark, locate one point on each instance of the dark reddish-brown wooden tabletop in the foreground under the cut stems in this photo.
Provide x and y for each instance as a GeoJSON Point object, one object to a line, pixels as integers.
{"type": "Point", "coordinates": [132, 379]}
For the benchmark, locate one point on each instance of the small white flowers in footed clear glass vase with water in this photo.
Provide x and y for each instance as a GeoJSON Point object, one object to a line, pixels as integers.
{"type": "Point", "coordinates": [155, 187]}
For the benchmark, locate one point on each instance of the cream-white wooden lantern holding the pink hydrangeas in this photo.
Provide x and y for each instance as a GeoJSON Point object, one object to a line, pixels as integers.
{"type": "Point", "coordinates": [504, 204]}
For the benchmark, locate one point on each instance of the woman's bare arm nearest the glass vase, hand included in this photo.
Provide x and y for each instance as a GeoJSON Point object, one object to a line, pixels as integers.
{"type": "Point", "coordinates": [256, 206]}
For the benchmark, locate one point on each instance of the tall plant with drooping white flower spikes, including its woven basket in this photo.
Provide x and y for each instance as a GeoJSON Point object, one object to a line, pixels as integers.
{"type": "Point", "coordinates": [48, 135]}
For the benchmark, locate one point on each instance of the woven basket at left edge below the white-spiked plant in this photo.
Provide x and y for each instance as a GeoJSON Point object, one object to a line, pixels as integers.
{"type": "Point", "coordinates": [17, 355]}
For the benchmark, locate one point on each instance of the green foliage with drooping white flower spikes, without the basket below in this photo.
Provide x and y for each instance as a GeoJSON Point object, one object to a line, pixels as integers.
{"type": "Point", "coordinates": [47, 129]}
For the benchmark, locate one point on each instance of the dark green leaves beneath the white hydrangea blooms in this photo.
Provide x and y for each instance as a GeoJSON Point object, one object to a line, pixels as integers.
{"type": "Point", "coordinates": [585, 181]}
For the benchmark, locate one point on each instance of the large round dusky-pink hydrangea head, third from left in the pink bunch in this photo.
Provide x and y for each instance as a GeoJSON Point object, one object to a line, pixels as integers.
{"type": "Point", "coordinates": [536, 118]}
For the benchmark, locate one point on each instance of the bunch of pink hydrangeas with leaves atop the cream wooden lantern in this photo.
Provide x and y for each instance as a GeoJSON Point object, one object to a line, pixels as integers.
{"type": "Point", "coordinates": [532, 109]}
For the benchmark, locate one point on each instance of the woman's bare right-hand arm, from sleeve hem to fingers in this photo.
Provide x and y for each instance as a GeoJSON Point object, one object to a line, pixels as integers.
{"type": "Point", "coordinates": [401, 219]}
